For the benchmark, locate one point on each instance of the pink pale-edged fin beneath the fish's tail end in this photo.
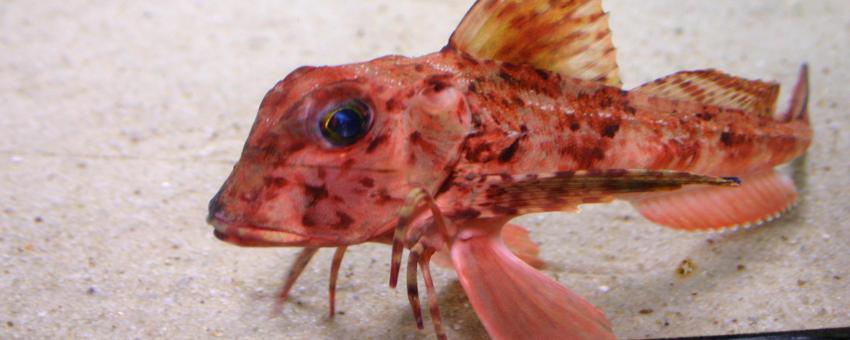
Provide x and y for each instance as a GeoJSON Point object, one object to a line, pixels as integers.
{"type": "Point", "coordinates": [760, 198]}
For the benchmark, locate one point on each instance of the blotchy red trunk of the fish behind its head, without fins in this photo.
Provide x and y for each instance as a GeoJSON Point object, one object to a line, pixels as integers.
{"type": "Point", "coordinates": [530, 121]}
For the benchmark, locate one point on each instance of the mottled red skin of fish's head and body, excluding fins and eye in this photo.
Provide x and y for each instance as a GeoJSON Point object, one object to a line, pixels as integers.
{"type": "Point", "coordinates": [290, 188]}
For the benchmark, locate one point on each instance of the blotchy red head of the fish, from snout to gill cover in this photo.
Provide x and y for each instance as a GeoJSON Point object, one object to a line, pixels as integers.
{"type": "Point", "coordinates": [334, 151]}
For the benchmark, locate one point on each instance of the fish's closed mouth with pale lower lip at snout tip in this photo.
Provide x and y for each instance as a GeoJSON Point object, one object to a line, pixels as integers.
{"type": "Point", "coordinates": [250, 235]}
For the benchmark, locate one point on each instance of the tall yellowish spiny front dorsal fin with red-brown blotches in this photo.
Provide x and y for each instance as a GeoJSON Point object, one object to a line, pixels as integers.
{"type": "Point", "coordinates": [570, 37]}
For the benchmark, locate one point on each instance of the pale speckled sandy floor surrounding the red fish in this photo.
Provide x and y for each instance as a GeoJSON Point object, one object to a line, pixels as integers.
{"type": "Point", "coordinates": [120, 119]}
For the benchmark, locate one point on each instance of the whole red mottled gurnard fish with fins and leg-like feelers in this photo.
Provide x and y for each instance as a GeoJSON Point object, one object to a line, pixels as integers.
{"type": "Point", "coordinates": [521, 112]}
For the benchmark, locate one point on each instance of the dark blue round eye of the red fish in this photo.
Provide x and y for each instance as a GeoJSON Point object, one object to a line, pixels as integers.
{"type": "Point", "coordinates": [345, 124]}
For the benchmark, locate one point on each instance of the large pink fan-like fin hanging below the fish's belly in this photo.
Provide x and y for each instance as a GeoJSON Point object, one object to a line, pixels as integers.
{"type": "Point", "coordinates": [515, 301]}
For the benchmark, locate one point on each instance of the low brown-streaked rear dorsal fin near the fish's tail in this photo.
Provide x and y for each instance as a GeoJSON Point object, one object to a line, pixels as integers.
{"type": "Point", "coordinates": [715, 88]}
